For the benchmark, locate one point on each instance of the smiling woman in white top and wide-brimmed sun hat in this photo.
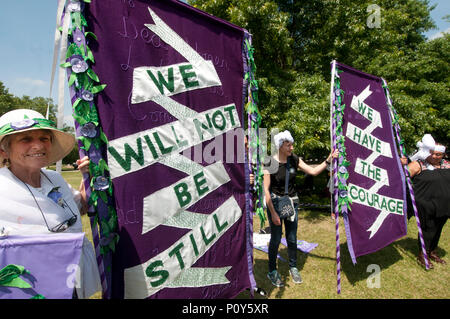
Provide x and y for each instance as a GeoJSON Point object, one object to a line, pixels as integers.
{"type": "Point", "coordinates": [28, 191]}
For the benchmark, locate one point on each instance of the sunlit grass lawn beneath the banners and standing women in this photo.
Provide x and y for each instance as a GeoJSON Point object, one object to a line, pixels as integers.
{"type": "Point", "coordinates": [400, 276]}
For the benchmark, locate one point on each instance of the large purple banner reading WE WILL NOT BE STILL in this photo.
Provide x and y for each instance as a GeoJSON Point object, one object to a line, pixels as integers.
{"type": "Point", "coordinates": [172, 111]}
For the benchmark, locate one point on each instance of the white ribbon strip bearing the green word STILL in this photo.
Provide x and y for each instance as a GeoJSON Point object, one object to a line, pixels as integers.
{"type": "Point", "coordinates": [165, 269]}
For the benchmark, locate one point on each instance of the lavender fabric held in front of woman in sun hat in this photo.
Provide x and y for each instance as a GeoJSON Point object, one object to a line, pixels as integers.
{"type": "Point", "coordinates": [50, 259]}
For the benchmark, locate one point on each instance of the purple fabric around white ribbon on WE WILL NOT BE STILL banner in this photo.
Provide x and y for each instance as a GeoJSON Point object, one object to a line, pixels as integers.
{"type": "Point", "coordinates": [124, 43]}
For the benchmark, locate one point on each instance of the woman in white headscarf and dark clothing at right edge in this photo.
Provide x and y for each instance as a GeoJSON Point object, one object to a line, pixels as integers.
{"type": "Point", "coordinates": [430, 174]}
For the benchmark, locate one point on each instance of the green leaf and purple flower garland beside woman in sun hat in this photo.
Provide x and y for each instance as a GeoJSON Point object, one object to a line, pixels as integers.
{"type": "Point", "coordinates": [85, 81]}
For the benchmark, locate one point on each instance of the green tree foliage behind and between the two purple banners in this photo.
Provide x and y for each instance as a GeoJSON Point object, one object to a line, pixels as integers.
{"type": "Point", "coordinates": [295, 41]}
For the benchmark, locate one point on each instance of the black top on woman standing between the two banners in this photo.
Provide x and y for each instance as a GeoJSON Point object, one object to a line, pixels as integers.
{"type": "Point", "coordinates": [277, 178]}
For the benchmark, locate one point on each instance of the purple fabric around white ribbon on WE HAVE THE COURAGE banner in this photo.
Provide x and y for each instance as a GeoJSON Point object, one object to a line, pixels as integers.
{"type": "Point", "coordinates": [362, 217]}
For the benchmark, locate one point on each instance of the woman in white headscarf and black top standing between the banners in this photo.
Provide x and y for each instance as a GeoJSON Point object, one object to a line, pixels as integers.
{"type": "Point", "coordinates": [274, 188]}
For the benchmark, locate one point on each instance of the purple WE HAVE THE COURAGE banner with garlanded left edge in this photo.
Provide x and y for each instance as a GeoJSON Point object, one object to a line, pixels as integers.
{"type": "Point", "coordinates": [369, 165]}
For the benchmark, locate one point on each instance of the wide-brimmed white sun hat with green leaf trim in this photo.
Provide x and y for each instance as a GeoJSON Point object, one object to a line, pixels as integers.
{"type": "Point", "coordinates": [21, 120]}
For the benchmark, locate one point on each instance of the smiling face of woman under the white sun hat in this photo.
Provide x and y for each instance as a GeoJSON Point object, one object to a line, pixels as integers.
{"type": "Point", "coordinates": [30, 149]}
